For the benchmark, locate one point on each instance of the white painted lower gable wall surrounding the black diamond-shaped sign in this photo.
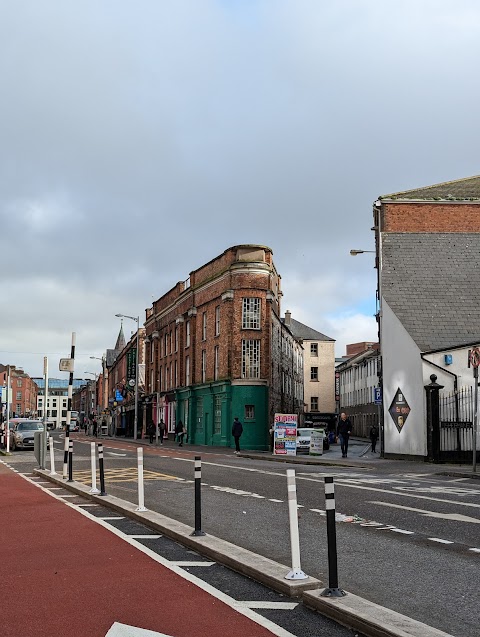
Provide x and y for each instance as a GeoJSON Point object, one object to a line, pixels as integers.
{"type": "Point", "coordinates": [402, 368]}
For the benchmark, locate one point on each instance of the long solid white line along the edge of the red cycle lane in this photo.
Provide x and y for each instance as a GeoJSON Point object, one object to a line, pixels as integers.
{"type": "Point", "coordinates": [251, 614]}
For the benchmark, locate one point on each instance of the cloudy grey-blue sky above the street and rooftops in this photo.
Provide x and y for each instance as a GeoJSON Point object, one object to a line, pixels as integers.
{"type": "Point", "coordinates": [140, 139]}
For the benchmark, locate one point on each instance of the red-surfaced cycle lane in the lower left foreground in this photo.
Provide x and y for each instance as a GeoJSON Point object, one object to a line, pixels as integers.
{"type": "Point", "coordinates": [62, 574]}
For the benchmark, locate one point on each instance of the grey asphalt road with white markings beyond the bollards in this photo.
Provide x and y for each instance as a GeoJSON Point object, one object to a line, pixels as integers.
{"type": "Point", "coordinates": [409, 541]}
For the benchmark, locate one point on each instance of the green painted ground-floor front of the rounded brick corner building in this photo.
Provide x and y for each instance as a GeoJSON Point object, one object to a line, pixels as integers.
{"type": "Point", "coordinates": [208, 411]}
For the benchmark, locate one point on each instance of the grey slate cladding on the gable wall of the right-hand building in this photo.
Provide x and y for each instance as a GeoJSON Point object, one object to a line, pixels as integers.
{"type": "Point", "coordinates": [432, 283]}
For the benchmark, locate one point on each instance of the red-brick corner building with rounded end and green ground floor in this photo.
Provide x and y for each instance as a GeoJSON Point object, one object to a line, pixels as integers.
{"type": "Point", "coordinates": [216, 348]}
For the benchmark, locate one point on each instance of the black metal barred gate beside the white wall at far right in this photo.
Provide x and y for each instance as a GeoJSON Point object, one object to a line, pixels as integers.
{"type": "Point", "coordinates": [456, 426]}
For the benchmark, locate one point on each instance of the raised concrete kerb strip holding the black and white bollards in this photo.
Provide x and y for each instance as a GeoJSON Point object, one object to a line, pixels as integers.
{"type": "Point", "coordinates": [351, 611]}
